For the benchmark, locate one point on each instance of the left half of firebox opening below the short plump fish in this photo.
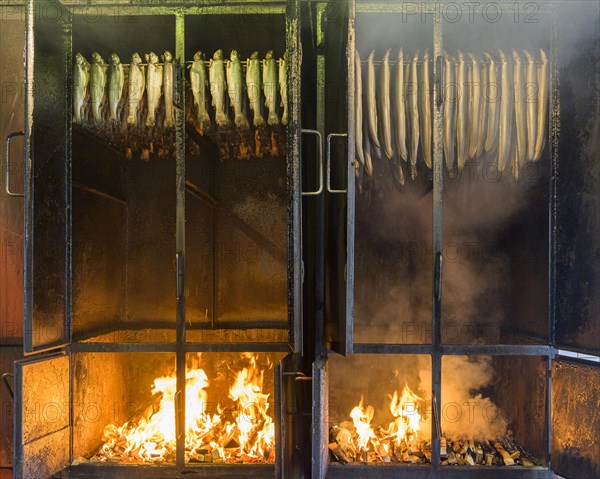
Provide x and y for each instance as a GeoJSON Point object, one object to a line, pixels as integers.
{"type": "Point", "coordinates": [127, 416]}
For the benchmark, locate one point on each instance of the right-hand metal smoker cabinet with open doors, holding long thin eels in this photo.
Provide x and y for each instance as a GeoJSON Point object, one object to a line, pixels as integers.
{"type": "Point", "coordinates": [396, 283]}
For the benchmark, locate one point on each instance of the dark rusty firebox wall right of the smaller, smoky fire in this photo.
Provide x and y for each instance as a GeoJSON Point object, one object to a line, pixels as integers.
{"type": "Point", "coordinates": [520, 392]}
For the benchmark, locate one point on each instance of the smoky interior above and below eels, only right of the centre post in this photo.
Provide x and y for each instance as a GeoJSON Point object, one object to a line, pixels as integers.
{"type": "Point", "coordinates": [496, 228]}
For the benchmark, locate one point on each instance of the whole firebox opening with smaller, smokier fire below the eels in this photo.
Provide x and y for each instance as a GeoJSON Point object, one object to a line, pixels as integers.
{"type": "Point", "coordinates": [381, 410]}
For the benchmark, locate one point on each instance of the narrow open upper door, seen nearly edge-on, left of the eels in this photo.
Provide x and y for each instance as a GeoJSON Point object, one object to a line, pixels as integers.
{"type": "Point", "coordinates": [337, 27]}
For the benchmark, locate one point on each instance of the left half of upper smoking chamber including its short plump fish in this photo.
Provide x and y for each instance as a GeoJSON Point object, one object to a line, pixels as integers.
{"type": "Point", "coordinates": [123, 182]}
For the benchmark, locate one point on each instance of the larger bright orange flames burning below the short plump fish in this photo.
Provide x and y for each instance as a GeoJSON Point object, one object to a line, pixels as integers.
{"type": "Point", "coordinates": [242, 433]}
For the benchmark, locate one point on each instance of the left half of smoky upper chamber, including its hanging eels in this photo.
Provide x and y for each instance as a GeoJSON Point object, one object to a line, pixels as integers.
{"type": "Point", "coordinates": [393, 262]}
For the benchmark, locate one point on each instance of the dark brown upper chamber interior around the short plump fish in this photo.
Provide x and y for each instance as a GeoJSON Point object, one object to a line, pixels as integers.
{"type": "Point", "coordinates": [124, 209]}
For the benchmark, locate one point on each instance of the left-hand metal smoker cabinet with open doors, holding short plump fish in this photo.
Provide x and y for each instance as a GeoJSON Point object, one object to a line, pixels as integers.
{"type": "Point", "coordinates": [131, 264]}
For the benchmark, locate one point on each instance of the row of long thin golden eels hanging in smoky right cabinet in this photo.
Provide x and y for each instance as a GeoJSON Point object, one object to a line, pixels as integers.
{"type": "Point", "coordinates": [494, 107]}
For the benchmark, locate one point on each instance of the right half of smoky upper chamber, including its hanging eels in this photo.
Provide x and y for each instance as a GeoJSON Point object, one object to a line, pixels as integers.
{"type": "Point", "coordinates": [496, 206]}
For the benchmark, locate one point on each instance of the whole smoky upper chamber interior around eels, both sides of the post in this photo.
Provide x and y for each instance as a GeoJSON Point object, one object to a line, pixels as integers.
{"type": "Point", "coordinates": [495, 238]}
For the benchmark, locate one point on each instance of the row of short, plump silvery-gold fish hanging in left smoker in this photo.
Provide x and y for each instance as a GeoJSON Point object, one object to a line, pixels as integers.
{"type": "Point", "coordinates": [123, 88]}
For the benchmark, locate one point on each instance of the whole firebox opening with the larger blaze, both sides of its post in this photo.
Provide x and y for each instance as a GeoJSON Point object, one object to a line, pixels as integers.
{"type": "Point", "coordinates": [229, 409]}
